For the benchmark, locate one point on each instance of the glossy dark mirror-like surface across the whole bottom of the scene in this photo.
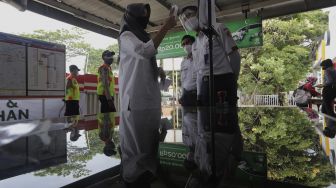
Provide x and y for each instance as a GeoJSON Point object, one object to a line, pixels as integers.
{"type": "Point", "coordinates": [174, 147]}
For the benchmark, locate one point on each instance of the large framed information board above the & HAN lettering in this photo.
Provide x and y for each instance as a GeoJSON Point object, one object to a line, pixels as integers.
{"type": "Point", "coordinates": [44, 63]}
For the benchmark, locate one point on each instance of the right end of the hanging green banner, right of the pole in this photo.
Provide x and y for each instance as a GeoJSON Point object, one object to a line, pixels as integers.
{"type": "Point", "coordinates": [247, 33]}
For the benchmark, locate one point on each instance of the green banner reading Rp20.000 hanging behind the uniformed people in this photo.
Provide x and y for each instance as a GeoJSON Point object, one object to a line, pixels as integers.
{"type": "Point", "coordinates": [246, 33]}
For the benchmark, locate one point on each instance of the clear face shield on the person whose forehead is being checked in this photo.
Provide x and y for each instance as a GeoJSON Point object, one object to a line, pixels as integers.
{"type": "Point", "coordinates": [189, 20]}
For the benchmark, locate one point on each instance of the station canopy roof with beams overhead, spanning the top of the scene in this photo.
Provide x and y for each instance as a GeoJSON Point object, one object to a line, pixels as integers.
{"type": "Point", "coordinates": [103, 16]}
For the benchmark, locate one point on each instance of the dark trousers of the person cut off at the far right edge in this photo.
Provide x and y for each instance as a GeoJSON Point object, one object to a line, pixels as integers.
{"type": "Point", "coordinates": [329, 95]}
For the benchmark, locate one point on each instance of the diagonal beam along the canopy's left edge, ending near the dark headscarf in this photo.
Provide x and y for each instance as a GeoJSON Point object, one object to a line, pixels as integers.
{"type": "Point", "coordinates": [69, 18]}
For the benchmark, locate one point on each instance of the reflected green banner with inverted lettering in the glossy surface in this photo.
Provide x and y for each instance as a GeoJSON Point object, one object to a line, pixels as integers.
{"type": "Point", "coordinates": [172, 155]}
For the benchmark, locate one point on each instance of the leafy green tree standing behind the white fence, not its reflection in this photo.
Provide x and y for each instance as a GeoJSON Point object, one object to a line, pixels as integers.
{"type": "Point", "coordinates": [284, 59]}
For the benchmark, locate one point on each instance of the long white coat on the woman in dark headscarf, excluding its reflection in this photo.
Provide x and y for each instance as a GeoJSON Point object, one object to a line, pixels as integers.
{"type": "Point", "coordinates": [137, 87]}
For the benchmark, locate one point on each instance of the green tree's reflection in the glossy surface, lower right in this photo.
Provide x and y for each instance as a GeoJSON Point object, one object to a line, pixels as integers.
{"type": "Point", "coordinates": [290, 142]}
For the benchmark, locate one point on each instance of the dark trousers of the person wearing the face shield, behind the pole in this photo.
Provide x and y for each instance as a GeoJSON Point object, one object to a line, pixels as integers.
{"type": "Point", "coordinates": [224, 83]}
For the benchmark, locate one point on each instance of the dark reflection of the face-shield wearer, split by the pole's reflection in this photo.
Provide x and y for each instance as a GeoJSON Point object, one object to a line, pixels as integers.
{"type": "Point", "coordinates": [228, 146]}
